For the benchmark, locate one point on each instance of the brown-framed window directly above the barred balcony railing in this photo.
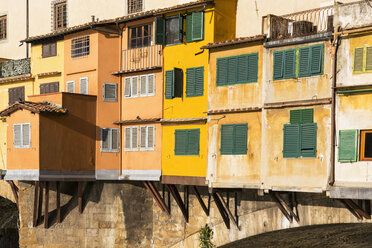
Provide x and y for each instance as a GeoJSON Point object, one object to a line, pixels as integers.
{"type": "Point", "coordinates": [140, 36]}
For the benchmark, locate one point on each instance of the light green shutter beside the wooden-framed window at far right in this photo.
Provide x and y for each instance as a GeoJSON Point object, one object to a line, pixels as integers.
{"type": "Point", "coordinates": [347, 147]}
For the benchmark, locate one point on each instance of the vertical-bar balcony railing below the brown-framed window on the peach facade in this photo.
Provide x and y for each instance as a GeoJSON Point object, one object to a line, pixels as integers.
{"type": "Point", "coordinates": [142, 58]}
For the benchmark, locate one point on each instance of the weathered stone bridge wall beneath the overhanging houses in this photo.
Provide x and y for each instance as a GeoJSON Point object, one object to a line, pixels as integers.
{"type": "Point", "coordinates": [125, 214]}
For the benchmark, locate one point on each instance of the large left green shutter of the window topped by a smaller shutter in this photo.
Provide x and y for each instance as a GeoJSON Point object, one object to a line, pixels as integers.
{"type": "Point", "coordinates": [291, 141]}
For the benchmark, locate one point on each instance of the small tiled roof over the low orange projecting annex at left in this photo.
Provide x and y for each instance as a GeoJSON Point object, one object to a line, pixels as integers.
{"type": "Point", "coordinates": [34, 107]}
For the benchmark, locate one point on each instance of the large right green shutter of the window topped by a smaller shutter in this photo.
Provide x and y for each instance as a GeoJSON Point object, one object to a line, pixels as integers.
{"type": "Point", "coordinates": [308, 140]}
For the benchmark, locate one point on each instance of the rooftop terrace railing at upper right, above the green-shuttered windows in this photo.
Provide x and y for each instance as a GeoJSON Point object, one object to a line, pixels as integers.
{"type": "Point", "coordinates": [299, 24]}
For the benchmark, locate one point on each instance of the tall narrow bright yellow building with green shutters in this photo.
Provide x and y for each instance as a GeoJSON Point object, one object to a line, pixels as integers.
{"type": "Point", "coordinates": [183, 33]}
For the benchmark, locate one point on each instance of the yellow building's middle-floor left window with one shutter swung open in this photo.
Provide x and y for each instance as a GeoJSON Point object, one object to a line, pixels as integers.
{"type": "Point", "coordinates": [173, 83]}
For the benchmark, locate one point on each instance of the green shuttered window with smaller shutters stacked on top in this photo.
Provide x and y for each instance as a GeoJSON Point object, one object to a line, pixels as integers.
{"type": "Point", "coordinates": [300, 135]}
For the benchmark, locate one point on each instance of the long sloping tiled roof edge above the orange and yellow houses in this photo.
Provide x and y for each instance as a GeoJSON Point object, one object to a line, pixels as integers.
{"type": "Point", "coordinates": [122, 19]}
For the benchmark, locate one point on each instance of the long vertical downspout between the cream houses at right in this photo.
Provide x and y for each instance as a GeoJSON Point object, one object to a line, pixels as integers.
{"type": "Point", "coordinates": [335, 44]}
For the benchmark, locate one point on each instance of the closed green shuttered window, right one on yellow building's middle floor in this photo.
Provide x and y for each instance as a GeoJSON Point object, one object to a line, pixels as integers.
{"type": "Point", "coordinates": [194, 81]}
